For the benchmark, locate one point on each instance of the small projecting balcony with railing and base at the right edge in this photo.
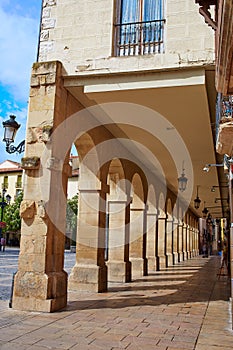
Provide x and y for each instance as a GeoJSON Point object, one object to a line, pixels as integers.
{"type": "Point", "coordinates": [224, 124]}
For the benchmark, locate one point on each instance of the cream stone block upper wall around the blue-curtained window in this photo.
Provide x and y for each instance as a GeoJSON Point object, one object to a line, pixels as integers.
{"type": "Point", "coordinates": [80, 35]}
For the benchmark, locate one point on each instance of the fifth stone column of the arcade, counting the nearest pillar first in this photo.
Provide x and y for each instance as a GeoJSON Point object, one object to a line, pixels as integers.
{"type": "Point", "coordinates": [151, 240]}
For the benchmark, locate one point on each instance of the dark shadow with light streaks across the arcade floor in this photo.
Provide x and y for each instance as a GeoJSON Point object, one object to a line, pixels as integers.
{"type": "Point", "coordinates": [202, 285]}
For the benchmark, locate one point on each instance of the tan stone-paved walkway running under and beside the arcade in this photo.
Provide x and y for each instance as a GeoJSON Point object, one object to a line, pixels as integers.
{"type": "Point", "coordinates": [182, 307]}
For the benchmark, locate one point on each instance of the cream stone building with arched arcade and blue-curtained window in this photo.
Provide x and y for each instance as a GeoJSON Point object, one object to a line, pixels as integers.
{"type": "Point", "coordinates": [130, 84]}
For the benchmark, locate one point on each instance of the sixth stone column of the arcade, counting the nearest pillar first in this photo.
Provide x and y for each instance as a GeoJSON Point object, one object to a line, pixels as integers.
{"type": "Point", "coordinates": [161, 241]}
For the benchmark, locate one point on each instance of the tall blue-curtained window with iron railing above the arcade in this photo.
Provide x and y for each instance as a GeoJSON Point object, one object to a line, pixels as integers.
{"type": "Point", "coordinates": [140, 27]}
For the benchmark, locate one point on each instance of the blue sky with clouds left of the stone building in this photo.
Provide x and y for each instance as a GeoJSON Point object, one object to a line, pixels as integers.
{"type": "Point", "coordinates": [18, 49]}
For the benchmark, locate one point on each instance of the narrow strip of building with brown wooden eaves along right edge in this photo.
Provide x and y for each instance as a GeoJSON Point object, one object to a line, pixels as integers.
{"type": "Point", "coordinates": [220, 19]}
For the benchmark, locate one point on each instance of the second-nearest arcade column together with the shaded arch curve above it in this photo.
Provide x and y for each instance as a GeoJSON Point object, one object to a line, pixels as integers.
{"type": "Point", "coordinates": [90, 271]}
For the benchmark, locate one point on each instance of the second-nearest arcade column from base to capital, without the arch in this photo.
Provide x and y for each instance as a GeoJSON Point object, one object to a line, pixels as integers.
{"type": "Point", "coordinates": [90, 270]}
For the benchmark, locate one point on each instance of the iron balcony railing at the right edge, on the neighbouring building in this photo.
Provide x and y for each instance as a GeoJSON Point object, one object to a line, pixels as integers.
{"type": "Point", "coordinates": [224, 110]}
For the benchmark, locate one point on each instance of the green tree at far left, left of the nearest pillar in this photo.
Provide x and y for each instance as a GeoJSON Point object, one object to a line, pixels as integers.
{"type": "Point", "coordinates": [12, 216]}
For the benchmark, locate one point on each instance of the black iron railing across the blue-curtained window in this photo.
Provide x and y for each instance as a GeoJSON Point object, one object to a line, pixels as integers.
{"type": "Point", "coordinates": [139, 38]}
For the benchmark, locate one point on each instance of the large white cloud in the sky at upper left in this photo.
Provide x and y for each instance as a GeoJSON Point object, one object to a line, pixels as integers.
{"type": "Point", "coordinates": [18, 45]}
